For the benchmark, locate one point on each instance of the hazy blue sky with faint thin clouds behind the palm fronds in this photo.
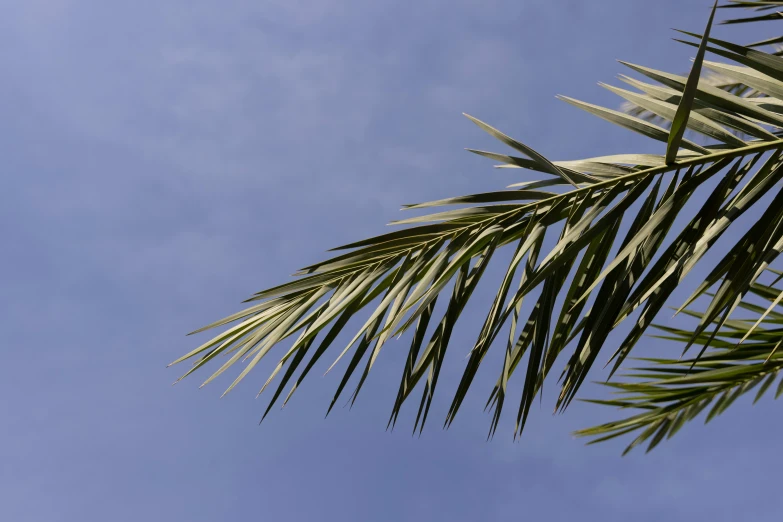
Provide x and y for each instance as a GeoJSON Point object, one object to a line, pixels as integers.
{"type": "Point", "coordinates": [163, 160]}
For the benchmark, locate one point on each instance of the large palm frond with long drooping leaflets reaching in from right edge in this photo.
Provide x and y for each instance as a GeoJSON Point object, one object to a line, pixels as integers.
{"type": "Point", "coordinates": [607, 219]}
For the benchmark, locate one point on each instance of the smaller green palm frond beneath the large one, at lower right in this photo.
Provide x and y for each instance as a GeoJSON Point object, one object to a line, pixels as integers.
{"type": "Point", "coordinates": [743, 355]}
